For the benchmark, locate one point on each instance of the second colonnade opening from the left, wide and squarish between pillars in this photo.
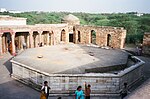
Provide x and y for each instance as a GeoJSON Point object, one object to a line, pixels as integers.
{"type": "Point", "coordinates": [21, 40]}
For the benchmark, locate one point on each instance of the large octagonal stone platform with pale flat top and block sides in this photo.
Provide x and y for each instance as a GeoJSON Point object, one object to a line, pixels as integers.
{"type": "Point", "coordinates": [67, 66]}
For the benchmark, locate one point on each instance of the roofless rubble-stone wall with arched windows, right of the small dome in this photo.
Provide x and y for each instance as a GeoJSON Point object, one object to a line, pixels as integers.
{"type": "Point", "coordinates": [117, 40]}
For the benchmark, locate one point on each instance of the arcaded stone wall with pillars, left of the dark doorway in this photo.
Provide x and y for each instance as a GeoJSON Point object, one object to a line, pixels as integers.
{"type": "Point", "coordinates": [48, 34]}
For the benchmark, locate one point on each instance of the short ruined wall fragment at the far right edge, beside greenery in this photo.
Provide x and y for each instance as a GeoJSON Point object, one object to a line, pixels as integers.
{"type": "Point", "coordinates": [146, 43]}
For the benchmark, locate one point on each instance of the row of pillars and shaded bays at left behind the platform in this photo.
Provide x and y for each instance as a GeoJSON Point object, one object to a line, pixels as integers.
{"type": "Point", "coordinates": [13, 41]}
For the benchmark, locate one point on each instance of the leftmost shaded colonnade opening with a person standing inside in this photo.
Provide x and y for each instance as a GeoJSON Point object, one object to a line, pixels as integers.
{"type": "Point", "coordinates": [6, 43]}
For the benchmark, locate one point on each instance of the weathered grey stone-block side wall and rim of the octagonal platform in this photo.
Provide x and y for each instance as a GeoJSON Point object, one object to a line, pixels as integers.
{"type": "Point", "coordinates": [102, 83]}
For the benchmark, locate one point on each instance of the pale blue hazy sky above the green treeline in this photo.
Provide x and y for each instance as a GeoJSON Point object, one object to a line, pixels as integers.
{"type": "Point", "coordinates": [89, 6]}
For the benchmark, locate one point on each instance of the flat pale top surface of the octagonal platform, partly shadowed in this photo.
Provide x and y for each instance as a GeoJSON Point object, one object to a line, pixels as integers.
{"type": "Point", "coordinates": [73, 59]}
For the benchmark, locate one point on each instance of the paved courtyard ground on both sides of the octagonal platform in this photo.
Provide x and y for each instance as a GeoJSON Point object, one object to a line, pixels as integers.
{"type": "Point", "coordinates": [11, 89]}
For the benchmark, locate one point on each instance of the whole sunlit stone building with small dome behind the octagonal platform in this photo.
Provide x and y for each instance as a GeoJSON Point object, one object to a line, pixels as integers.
{"type": "Point", "coordinates": [14, 33]}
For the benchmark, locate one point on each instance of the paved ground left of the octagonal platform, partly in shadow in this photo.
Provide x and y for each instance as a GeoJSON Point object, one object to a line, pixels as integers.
{"type": "Point", "coordinates": [11, 89]}
